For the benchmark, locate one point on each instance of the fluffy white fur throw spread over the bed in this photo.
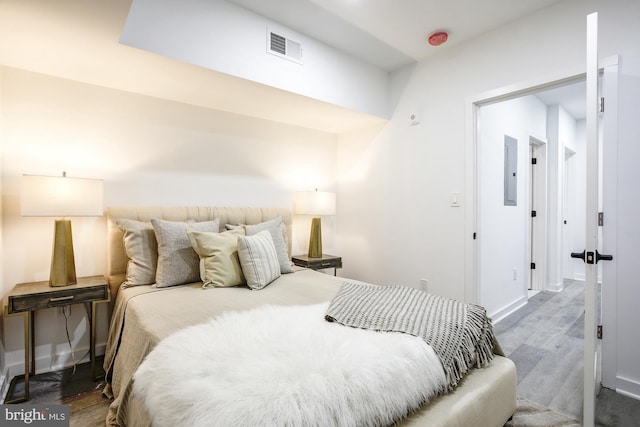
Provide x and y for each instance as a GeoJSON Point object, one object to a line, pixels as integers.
{"type": "Point", "coordinates": [285, 366]}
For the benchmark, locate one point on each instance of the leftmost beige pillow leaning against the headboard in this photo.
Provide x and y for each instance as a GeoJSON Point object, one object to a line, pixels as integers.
{"type": "Point", "coordinates": [142, 250]}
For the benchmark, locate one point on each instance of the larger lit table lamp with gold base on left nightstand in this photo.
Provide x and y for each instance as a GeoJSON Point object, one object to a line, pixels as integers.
{"type": "Point", "coordinates": [61, 196]}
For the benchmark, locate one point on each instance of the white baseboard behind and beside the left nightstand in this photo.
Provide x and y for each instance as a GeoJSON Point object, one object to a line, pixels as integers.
{"type": "Point", "coordinates": [62, 361]}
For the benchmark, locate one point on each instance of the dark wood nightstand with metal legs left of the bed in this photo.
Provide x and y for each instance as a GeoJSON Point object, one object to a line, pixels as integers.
{"type": "Point", "coordinates": [26, 298]}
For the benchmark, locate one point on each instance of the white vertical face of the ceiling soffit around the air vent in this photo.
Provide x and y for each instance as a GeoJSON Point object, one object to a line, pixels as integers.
{"type": "Point", "coordinates": [225, 37]}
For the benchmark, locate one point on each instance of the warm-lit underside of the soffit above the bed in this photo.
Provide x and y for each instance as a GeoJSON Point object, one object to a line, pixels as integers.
{"type": "Point", "coordinates": [78, 40]}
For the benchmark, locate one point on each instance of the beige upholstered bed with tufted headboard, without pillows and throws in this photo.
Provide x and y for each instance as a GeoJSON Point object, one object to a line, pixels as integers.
{"type": "Point", "coordinates": [144, 316]}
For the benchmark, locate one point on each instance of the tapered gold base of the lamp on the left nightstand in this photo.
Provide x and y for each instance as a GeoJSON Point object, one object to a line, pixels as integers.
{"type": "Point", "coordinates": [63, 265]}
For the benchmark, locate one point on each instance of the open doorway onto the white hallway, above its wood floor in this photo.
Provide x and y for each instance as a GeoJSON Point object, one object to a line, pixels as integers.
{"type": "Point", "coordinates": [520, 243]}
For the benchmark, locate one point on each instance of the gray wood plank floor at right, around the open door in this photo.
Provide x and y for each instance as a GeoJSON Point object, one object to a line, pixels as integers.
{"type": "Point", "coordinates": [545, 340]}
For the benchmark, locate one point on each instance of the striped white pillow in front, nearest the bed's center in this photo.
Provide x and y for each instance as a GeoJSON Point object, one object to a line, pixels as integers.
{"type": "Point", "coordinates": [259, 259]}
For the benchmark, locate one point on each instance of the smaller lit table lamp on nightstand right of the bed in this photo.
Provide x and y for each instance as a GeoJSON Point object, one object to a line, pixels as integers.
{"type": "Point", "coordinates": [315, 203]}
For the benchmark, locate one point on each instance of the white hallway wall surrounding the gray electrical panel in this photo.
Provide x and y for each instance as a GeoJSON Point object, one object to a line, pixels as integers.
{"type": "Point", "coordinates": [503, 239]}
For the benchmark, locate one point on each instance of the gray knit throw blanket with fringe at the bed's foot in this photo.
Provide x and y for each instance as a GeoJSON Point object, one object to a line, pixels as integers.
{"type": "Point", "coordinates": [460, 334]}
